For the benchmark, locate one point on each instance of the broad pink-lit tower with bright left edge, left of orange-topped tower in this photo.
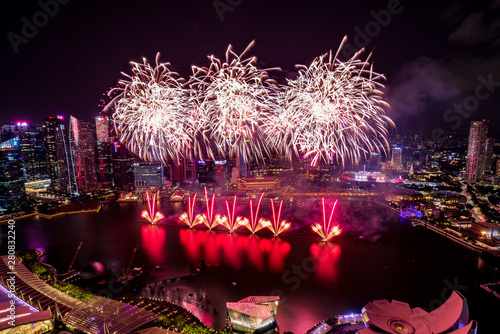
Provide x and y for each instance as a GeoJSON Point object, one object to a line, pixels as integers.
{"type": "Point", "coordinates": [82, 148]}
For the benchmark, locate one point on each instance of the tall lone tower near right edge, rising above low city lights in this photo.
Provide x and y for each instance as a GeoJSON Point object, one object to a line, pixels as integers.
{"type": "Point", "coordinates": [476, 151]}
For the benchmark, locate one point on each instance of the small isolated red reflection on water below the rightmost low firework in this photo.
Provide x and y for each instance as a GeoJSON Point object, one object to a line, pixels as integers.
{"type": "Point", "coordinates": [326, 256]}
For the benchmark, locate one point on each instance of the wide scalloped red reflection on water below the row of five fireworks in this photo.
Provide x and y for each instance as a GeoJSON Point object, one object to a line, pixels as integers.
{"type": "Point", "coordinates": [233, 250]}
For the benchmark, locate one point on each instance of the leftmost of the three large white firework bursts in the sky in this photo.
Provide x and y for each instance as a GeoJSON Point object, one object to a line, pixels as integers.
{"type": "Point", "coordinates": [152, 113]}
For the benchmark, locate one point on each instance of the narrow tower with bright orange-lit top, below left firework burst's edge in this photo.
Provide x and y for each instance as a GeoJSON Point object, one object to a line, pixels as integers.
{"type": "Point", "coordinates": [103, 152]}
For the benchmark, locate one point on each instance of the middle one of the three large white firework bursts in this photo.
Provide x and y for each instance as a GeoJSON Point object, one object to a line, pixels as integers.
{"type": "Point", "coordinates": [234, 100]}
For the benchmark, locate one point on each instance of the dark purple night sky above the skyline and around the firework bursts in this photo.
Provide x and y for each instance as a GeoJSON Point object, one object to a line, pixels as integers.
{"type": "Point", "coordinates": [435, 54]}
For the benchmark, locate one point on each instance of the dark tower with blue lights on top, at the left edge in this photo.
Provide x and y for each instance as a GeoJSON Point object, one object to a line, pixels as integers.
{"type": "Point", "coordinates": [12, 176]}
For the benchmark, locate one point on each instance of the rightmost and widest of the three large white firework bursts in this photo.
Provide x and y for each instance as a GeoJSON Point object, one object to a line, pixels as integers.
{"type": "Point", "coordinates": [333, 111]}
